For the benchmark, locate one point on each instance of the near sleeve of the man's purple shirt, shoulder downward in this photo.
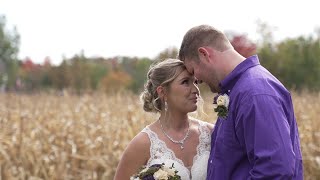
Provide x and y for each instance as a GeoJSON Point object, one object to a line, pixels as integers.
{"type": "Point", "coordinates": [263, 130]}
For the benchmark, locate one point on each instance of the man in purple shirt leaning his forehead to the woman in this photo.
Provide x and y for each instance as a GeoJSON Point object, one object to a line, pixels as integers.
{"type": "Point", "coordinates": [258, 138]}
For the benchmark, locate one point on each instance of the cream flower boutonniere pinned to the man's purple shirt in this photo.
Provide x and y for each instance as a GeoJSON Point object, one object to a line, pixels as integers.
{"type": "Point", "coordinates": [221, 103]}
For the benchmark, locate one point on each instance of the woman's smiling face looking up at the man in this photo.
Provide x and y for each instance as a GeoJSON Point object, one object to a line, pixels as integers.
{"type": "Point", "coordinates": [183, 93]}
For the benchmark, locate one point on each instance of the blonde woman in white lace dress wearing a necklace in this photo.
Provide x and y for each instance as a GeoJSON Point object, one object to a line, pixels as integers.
{"type": "Point", "coordinates": [174, 137]}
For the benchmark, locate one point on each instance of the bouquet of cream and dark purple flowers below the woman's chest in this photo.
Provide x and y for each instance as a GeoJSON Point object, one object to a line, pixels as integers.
{"type": "Point", "coordinates": [156, 172]}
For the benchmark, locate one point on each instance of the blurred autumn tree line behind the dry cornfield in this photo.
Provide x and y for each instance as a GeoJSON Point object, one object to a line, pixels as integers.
{"type": "Point", "coordinates": [295, 62]}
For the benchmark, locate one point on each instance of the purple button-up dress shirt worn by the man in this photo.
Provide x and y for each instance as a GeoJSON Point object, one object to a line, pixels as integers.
{"type": "Point", "coordinates": [259, 139]}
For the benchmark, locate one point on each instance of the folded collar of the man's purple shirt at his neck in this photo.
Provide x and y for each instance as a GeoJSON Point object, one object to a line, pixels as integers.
{"type": "Point", "coordinates": [228, 82]}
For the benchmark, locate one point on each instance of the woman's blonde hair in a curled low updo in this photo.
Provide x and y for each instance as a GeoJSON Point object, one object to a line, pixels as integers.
{"type": "Point", "coordinates": [160, 74]}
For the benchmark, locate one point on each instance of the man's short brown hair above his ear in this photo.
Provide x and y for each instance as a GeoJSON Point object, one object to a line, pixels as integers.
{"type": "Point", "coordinates": [201, 36]}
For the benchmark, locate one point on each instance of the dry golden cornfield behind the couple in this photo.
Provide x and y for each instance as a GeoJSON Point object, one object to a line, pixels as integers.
{"type": "Point", "coordinates": [47, 136]}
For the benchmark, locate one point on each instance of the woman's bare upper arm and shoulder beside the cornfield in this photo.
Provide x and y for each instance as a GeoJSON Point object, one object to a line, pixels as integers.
{"type": "Point", "coordinates": [135, 155]}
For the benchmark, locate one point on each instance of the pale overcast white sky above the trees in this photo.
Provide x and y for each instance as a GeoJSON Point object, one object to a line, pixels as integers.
{"type": "Point", "coordinates": [143, 28]}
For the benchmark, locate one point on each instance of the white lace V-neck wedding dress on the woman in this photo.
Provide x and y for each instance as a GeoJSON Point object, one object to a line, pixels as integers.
{"type": "Point", "coordinates": [160, 153]}
